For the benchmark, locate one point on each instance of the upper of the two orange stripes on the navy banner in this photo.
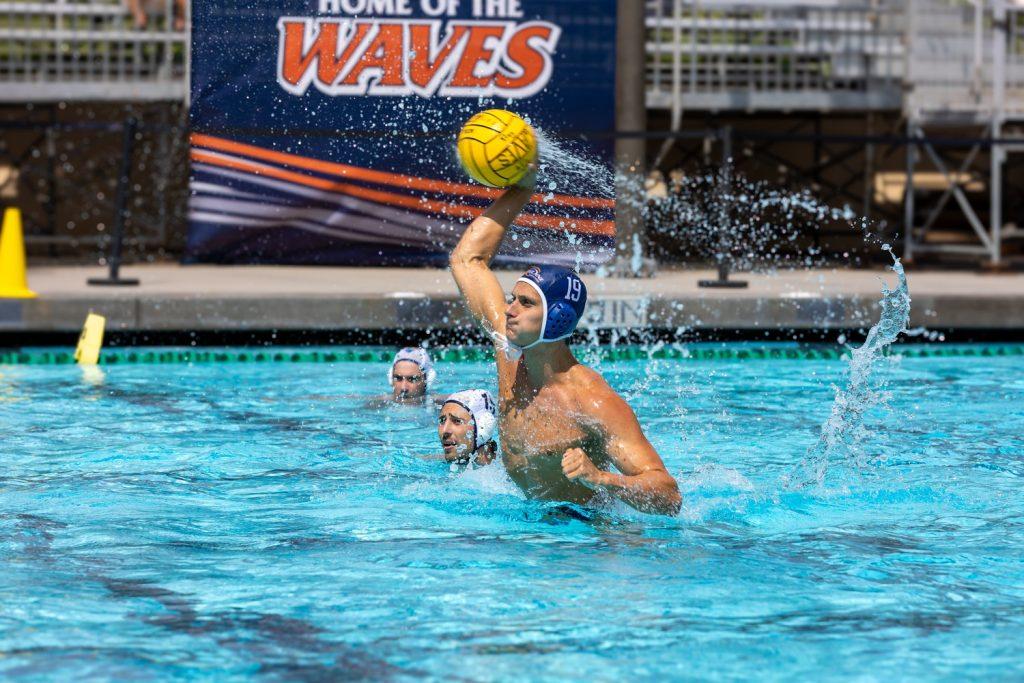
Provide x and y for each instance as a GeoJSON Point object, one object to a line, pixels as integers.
{"type": "Point", "coordinates": [383, 178]}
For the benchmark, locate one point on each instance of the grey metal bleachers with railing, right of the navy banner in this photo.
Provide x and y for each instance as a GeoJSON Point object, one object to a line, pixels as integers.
{"type": "Point", "coordinates": [773, 56]}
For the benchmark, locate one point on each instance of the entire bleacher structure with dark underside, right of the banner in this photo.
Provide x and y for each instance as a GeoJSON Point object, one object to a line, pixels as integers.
{"type": "Point", "coordinates": [907, 111]}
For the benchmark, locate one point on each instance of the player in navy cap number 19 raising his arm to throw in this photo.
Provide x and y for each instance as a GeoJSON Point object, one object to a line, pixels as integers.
{"type": "Point", "coordinates": [563, 428]}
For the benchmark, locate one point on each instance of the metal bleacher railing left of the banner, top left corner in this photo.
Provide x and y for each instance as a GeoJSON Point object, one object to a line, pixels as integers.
{"type": "Point", "coordinates": [57, 51]}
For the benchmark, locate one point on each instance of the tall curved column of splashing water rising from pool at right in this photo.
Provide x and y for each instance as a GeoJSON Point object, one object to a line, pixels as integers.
{"type": "Point", "coordinates": [844, 431]}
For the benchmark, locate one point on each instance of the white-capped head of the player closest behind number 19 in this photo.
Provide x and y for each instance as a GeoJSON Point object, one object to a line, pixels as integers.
{"type": "Point", "coordinates": [466, 428]}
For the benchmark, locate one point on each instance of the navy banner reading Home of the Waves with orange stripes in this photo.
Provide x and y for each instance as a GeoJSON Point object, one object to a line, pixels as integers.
{"type": "Point", "coordinates": [324, 132]}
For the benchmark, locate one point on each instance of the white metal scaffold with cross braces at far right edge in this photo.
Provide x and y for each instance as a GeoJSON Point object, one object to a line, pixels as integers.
{"type": "Point", "coordinates": [965, 68]}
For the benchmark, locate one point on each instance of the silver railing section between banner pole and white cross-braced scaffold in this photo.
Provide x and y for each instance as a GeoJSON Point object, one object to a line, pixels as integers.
{"type": "Point", "coordinates": [724, 55]}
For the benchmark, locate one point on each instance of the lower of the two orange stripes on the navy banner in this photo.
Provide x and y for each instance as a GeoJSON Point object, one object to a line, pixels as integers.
{"type": "Point", "coordinates": [585, 226]}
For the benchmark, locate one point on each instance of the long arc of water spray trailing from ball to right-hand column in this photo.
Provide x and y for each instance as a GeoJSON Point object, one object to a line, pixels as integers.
{"type": "Point", "coordinates": [767, 228]}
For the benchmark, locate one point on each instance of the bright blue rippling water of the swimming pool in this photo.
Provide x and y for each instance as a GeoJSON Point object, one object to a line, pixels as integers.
{"type": "Point", "coordinates": [226, 520]}
